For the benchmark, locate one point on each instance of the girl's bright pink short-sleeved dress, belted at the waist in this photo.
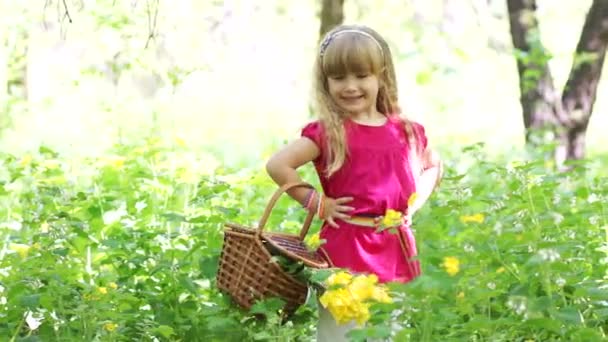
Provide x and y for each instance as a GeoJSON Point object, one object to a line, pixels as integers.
{"type": "Point", "coordinates": [377, 175]}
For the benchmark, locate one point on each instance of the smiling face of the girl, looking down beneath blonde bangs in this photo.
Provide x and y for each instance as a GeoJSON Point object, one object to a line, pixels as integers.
{"type": "Point", "coordinates": [354, 92]}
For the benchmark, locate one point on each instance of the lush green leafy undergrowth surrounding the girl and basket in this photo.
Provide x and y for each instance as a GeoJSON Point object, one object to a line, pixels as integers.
{"type": "Point", "coordinates": [126, 248]}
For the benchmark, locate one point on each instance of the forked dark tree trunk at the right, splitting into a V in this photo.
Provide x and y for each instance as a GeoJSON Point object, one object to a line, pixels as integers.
{"type": "Point", "coordinates": [567, 116]}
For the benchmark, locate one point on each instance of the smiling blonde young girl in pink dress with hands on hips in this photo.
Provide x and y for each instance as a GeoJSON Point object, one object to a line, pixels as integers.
{"type": "Point", "coordinates": [369, 158]}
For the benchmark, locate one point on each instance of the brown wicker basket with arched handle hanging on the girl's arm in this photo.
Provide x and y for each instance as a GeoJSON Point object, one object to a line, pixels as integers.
{"type": "Point", "coordinates": [247, 271]}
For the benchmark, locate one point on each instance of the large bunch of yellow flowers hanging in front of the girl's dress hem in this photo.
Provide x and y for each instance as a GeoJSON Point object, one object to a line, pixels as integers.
{"type": "Point", "coordinates": [349, 297]}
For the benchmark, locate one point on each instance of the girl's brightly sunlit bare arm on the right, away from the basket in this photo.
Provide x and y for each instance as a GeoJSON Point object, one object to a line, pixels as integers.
{"type": "Point", "coordinates": [432, 171]}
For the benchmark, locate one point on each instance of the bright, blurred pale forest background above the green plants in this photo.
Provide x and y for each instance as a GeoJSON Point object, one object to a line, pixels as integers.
{"type": "Point", "coordinates": [232, 77]}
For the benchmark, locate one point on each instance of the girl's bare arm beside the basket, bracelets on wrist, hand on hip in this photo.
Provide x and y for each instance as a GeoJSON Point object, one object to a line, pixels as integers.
{"type": "Point", "coordinates": [282, 166]}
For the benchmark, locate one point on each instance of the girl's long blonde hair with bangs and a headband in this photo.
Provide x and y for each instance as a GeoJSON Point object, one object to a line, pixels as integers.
{"type": "Point", "coordinates": [354, 48]}
